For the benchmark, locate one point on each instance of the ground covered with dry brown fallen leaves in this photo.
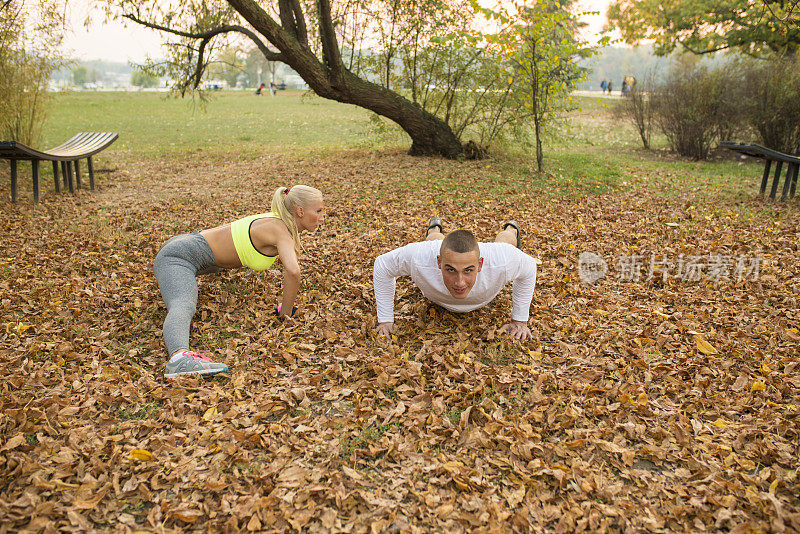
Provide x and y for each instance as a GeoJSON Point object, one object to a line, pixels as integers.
{"type": "Point", "coordinates": [639, 406]}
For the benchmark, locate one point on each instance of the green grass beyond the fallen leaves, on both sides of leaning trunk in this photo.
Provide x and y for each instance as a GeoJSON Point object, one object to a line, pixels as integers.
{"type": "Point", "coordinates": [591, 153]}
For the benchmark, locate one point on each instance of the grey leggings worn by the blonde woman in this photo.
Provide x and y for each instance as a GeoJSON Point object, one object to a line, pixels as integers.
{"type": "Point", "coordinates": [178, 263]}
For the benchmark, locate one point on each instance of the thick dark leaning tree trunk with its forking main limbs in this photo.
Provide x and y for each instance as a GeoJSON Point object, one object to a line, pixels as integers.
{"type": "Point", "coordinates": [330, 79]}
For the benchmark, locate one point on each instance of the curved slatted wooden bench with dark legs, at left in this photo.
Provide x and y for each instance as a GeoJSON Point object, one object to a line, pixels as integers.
{"type": "Point", "coordinates": [82, 146]}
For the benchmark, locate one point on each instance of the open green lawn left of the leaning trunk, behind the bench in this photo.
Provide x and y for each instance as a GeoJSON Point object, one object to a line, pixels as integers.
{"type": "Point", "coordinates": [153, 123]}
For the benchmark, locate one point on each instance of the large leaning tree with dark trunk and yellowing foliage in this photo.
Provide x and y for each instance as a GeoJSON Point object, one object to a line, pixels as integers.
{"type": "Point", "coordinates": [301, 34]}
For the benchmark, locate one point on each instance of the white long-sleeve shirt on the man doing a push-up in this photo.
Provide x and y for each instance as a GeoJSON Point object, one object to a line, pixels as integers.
{"type": "Point", "coordinates": [502, 263]}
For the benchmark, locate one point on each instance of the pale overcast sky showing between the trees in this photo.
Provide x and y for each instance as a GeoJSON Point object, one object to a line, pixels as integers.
{"type": "Point", "coordinates": [114, 42]}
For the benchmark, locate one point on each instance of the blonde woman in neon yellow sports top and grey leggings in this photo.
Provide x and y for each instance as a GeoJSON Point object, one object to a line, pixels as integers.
{"type": "Point", "coordinates": [254, 242]}
